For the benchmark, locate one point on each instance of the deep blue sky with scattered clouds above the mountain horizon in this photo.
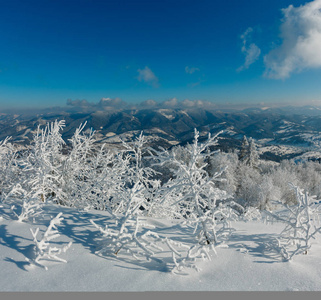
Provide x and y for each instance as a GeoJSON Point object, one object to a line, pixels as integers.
{"type": "Point", "coordinates": [221, 51]}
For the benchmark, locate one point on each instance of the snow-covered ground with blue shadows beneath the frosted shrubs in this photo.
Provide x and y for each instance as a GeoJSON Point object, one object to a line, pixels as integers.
{"type": "Point", "coordinates": [246, 265]}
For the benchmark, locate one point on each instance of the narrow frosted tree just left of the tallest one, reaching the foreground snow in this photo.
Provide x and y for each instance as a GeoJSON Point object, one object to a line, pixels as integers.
{"type": "Point", "coordinates": [129, 201]}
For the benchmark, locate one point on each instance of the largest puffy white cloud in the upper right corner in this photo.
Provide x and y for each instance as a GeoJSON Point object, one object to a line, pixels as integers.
{"type": "Point", "coordinates": [301, 45]}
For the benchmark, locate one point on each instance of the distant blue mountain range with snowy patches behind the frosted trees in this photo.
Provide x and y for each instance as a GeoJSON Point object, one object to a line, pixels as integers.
{"type": "Point", "coordinates": [282, 132]}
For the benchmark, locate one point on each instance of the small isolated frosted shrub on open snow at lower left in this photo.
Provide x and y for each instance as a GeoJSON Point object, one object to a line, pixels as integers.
{"type": "Point", "coordinates": [43, 249]}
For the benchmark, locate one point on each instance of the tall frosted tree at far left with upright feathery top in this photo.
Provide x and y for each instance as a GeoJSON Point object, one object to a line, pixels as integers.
{"type": "Point", "coordinates": [37, 172]}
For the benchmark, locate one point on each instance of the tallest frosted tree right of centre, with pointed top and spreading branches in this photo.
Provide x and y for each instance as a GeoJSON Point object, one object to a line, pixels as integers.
{"type": "Point", "coordinates": [192, 193]}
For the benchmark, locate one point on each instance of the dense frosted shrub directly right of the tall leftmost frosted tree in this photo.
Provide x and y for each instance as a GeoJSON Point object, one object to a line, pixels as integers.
{"type": "Point", "coordinates": [87, 173]}
